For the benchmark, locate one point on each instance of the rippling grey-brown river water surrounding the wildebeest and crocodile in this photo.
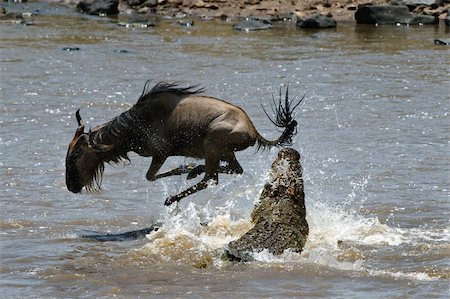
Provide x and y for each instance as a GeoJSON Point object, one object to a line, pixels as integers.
{"type": "Point", "coordinates": [373, 134]}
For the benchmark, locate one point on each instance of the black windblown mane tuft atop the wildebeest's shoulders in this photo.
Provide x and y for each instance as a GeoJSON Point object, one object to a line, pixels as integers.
{"type": "Point", "coordinates": [173, 87]}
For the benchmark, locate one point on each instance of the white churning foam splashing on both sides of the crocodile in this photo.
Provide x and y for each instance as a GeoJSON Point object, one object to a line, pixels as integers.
{"type": "Point", "coordinates": [339, 238]}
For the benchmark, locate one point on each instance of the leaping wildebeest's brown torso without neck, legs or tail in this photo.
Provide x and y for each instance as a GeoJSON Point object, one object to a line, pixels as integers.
{"type": "Point", "coordinates": [192, 125]}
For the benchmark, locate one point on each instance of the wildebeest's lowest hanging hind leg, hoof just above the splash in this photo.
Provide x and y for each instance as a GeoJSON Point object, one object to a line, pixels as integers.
{"type": "Point", "coordinates": [211, 176]}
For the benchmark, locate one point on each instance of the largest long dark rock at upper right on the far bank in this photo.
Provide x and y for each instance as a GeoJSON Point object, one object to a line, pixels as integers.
{"type": "Point", "coordinates": [389, 15]}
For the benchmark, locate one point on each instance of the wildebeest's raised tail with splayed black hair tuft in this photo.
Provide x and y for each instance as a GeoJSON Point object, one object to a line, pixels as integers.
{"type": "Point", "coordinates": [283, 110]}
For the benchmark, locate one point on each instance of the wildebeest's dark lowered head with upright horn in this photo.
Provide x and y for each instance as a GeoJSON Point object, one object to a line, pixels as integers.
{"type": "Point", "coordinates": [84, 163]}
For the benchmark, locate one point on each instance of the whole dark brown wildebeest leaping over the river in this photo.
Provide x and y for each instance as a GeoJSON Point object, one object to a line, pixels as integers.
{"type": "Point", "coordinates": [169, 120]}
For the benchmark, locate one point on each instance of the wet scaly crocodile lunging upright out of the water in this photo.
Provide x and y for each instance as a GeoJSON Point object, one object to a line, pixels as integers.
{"type": "Point", "coordinates": [280, 215]}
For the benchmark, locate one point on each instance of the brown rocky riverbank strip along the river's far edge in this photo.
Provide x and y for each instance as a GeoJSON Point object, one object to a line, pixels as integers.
{"type": "Point", "coordinates": [339, 10]}
